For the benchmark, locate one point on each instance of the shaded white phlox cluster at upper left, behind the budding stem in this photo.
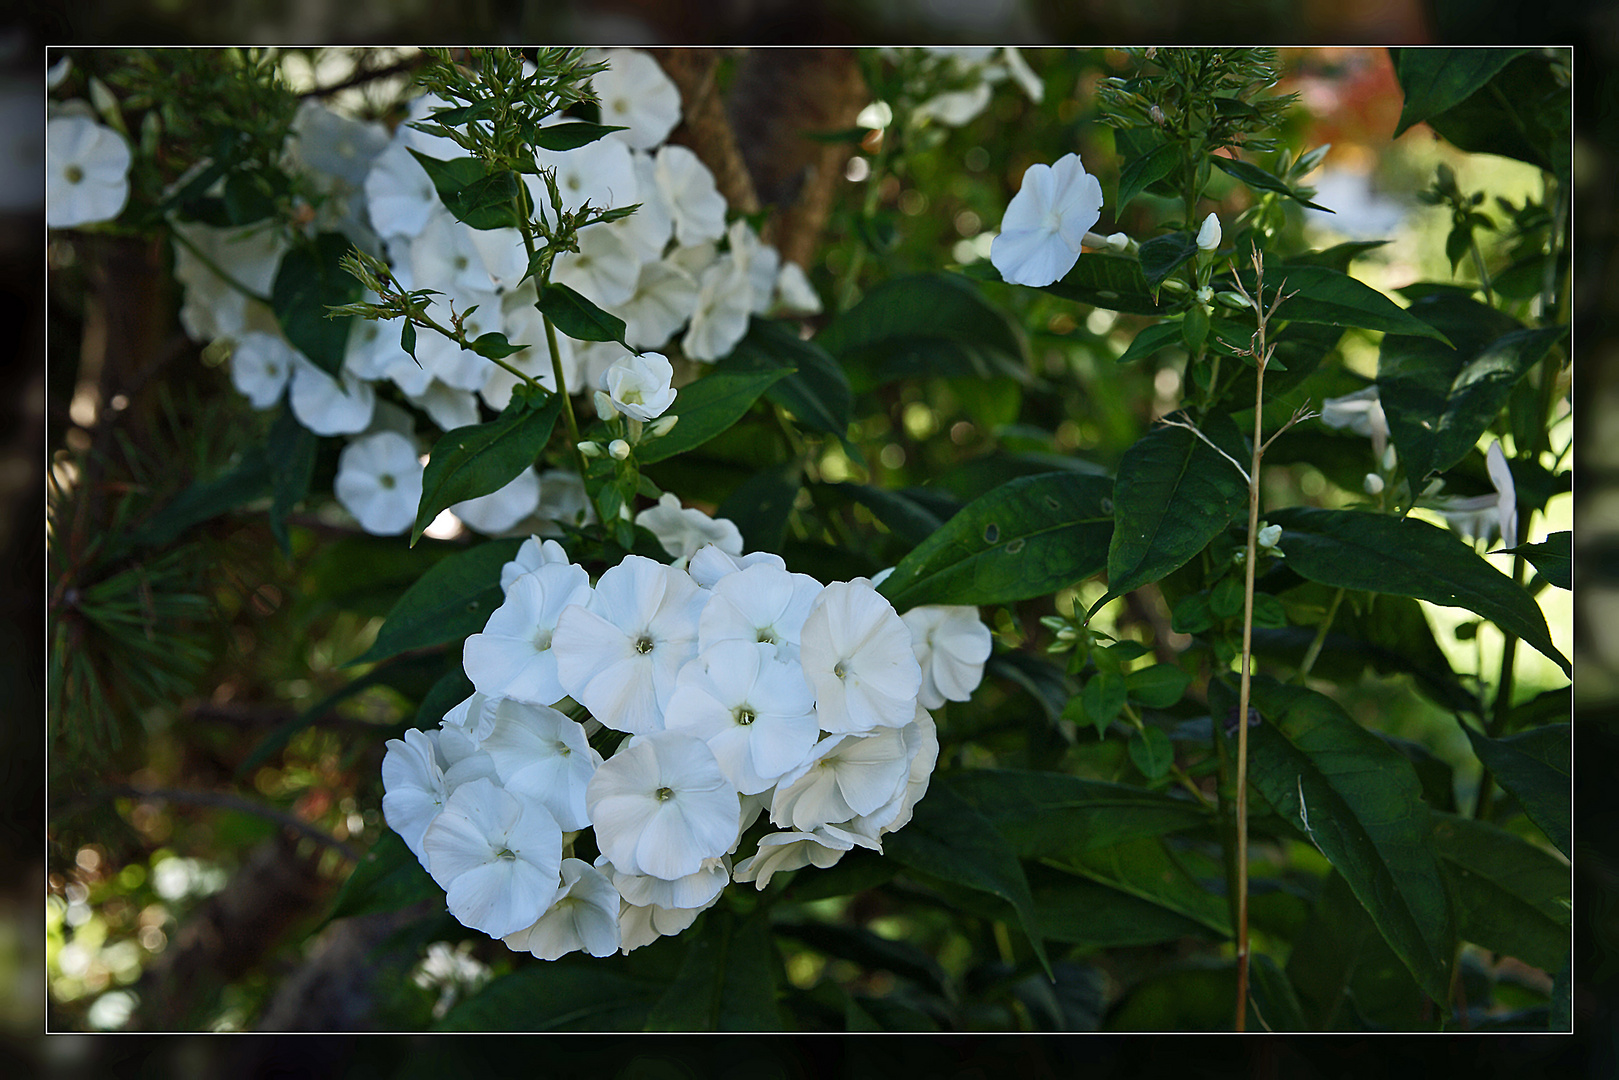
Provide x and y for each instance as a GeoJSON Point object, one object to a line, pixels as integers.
{"type": "Point", "coordinates": [661, 270]}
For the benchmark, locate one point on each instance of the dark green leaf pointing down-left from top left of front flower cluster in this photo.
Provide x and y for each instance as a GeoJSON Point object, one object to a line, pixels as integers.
{"type": "Point", "coordinates": [448, 603]}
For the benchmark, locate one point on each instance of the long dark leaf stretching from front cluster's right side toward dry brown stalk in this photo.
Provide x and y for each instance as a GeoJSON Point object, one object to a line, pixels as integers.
{"type": "Point", "coordinates": [1052, 815]}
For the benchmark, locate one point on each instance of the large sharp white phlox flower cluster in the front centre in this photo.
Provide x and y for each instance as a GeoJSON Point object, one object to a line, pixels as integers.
{"type": "Point", "coordinates": [744, 691]}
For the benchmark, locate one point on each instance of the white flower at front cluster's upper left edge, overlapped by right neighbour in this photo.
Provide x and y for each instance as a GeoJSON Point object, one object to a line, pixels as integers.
{"type": "Point", "coordinates": [512, 657]}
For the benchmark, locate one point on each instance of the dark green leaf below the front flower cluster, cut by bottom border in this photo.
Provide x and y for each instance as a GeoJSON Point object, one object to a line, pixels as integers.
{"type": "Point", "coordinates": [728, 980]}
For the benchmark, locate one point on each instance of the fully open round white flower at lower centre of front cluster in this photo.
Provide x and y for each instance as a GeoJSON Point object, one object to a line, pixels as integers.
{"type": "Point", "coordinates": [661, 807]}
